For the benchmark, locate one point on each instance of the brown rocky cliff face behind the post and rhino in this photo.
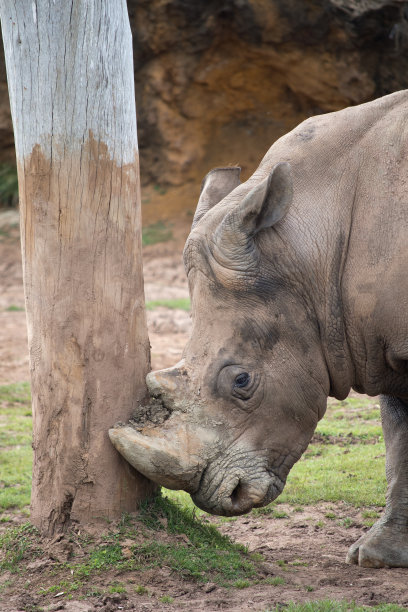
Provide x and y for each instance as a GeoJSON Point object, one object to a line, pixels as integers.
{"type": "Point", "coordinates": [217, 81]}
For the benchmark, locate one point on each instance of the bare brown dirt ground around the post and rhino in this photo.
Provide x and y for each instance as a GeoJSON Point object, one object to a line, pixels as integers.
{"type": "Point", "coordinates": [305, 549]}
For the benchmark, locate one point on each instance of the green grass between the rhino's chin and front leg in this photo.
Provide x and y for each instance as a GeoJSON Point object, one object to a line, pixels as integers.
{"type": "Point", "coordinates": [332, 472]}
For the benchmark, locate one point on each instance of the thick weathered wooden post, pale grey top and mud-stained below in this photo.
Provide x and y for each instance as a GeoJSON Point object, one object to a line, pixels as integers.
{"type": "Point", "coordinates": [70, 74]}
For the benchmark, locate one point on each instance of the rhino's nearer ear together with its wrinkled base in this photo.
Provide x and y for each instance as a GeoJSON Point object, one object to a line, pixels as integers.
{"type": "Point", "coordinates": [265, 205]}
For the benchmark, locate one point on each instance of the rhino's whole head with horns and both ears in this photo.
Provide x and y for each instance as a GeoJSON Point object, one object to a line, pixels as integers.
{"type": "Point", "coordinates": [242, 405]}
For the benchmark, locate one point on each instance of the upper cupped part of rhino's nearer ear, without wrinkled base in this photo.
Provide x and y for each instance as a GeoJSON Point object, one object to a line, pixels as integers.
{"type": "Point", "coordinates": [268, 202]}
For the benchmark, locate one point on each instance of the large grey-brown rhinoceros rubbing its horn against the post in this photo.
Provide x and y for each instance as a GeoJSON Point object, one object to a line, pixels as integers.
{"type": "Point", "coordinates": [298, 280]}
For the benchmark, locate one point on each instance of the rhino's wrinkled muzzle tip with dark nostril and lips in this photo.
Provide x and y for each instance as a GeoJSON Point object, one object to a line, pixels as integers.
{"type": "Point", "coordinates": [236, 493]}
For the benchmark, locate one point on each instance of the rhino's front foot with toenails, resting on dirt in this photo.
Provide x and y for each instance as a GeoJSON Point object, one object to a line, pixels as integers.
{"type": "Point", "coordinates": [384, 545]}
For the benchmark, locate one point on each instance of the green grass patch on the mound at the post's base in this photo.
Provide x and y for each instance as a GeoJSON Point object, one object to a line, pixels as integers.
{"type": "Point", "coordinates": [203, 554]}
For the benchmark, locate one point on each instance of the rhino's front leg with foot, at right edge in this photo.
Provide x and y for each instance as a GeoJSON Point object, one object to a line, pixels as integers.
{"type": "Point", "coordinates": [386, 544]}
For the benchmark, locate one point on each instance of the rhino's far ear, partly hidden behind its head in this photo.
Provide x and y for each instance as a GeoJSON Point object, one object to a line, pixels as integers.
{"type": "Point", "coordinates": [216, 185]}
